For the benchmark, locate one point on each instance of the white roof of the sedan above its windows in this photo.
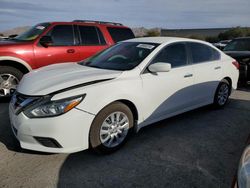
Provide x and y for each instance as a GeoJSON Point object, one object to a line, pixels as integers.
{"type": "Point", "coordinates": [161, 40]}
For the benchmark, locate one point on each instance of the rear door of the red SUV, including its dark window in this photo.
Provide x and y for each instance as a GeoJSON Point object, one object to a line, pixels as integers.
{"type": "Point", "coordinates": [91, 40]}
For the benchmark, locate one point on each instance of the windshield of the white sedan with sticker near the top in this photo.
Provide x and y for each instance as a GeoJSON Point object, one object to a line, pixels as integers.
{"type": "Point", "coordinates": [122, 56]}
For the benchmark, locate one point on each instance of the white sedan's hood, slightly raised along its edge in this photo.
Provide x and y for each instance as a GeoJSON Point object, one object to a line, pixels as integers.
{"type": "Point", "coordinates": [58, 77]}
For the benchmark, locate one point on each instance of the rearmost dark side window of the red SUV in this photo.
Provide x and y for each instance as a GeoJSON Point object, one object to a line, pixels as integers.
{"type": "Point", "coordinates": [120, 34]}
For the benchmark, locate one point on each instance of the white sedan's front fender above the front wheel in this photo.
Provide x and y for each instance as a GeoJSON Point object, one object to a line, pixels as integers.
{"type": "Point", "coordinates": [102, 94]}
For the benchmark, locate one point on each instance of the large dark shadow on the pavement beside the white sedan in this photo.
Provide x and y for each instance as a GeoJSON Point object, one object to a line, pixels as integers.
{"type": "Point", "coordinates": [200, 148]}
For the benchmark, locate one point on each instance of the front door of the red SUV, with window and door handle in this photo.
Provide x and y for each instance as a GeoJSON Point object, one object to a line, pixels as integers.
{"type": "Point", "coordinates": [62, 50]}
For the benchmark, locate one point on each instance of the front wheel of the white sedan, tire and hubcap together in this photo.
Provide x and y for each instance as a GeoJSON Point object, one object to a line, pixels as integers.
{"type": "Point", "coordinates": [107, 136]}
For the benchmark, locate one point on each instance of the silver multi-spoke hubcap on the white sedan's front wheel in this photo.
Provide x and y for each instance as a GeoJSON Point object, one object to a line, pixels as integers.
{"type": "Point", "coordinates": [114, 129]}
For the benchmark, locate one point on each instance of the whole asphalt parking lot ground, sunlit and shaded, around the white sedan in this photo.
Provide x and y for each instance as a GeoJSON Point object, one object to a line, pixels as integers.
{"type": "Point", "coordinates": [200, 148]}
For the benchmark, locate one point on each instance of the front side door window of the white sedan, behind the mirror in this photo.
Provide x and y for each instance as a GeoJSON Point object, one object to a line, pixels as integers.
{"type": "Point", "coordinates": [174, 54]}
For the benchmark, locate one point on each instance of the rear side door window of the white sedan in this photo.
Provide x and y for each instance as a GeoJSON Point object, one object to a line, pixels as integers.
{"type": "Point", "coordinates": [203, 53]}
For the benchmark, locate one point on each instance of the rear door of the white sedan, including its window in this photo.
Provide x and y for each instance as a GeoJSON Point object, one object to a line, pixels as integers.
{"type": "Point", "coordinates": [207, 71]}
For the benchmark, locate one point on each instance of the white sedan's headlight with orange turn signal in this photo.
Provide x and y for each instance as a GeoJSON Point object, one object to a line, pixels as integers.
{"type": "Point", "coordinates": [48, 108]}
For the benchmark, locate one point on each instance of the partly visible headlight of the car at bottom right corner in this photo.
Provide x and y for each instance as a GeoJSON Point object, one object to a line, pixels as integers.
{"type": "Point", "coordinates": [244, 169]}
